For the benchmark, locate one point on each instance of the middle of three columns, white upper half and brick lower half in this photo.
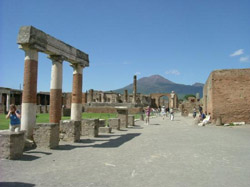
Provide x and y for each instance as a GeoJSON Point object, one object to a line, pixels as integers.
{"type": "Point", "coordinates": [55, 111]}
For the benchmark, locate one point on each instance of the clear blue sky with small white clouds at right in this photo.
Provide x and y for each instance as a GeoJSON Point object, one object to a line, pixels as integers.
{"type": "Point", "coordinates": [182, 40]}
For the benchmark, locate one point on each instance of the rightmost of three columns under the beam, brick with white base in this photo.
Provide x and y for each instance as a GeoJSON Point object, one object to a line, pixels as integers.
{"type": "Point", "coordinates": [76, 105]}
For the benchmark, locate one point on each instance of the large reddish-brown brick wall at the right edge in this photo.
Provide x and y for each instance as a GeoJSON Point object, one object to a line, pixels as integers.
{"type": "Point", "coordinates": [226, 95]}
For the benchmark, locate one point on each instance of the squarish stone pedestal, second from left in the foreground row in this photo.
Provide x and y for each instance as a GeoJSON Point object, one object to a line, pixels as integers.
{"type": "Point", "coordinates": [46, 135]}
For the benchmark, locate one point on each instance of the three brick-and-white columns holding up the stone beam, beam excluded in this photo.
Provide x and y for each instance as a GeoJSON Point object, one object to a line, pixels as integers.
{"type": "Point", "coordinates": [29, 102]}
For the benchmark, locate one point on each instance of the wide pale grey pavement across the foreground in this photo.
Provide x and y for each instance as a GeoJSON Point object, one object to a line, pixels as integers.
{"type": "Point", "coordinates": [165, 153]}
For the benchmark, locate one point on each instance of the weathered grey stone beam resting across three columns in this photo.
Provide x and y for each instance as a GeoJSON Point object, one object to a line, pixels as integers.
{"type": "Point", "coordinates": [39, 40]}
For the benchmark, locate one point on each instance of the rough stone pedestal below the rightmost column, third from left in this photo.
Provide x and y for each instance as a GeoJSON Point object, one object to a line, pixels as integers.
{"type": "Point", "coordinates": [70, 130]}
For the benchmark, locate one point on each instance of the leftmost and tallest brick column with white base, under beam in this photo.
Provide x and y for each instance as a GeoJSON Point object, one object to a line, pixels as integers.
{"type": "Point", "coordinates": [28, 119]}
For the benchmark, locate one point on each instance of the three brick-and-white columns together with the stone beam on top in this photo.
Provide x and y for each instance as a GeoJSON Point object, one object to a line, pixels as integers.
{"type": "Point", "coordinates": [33, 41]}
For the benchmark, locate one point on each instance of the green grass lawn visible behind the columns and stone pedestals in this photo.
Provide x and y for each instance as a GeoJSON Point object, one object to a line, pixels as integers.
{"type": "Point", "coordinates": [44, 118]}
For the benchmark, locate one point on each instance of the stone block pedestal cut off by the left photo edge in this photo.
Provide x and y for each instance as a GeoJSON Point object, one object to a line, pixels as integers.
{"type": "Point", "coordinates": [11, 144]}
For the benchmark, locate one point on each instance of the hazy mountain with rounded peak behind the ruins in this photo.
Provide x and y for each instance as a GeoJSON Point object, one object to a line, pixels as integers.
{"type": "Point", "coordinates": [159, 84]}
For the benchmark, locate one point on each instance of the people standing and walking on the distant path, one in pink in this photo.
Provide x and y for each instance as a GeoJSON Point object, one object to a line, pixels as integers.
{"type": "Point", "coordinates": [162, 111]}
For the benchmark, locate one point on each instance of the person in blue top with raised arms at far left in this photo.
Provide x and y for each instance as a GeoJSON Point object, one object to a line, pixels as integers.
{"type": "Point", "coordinates": [15, 117]}
